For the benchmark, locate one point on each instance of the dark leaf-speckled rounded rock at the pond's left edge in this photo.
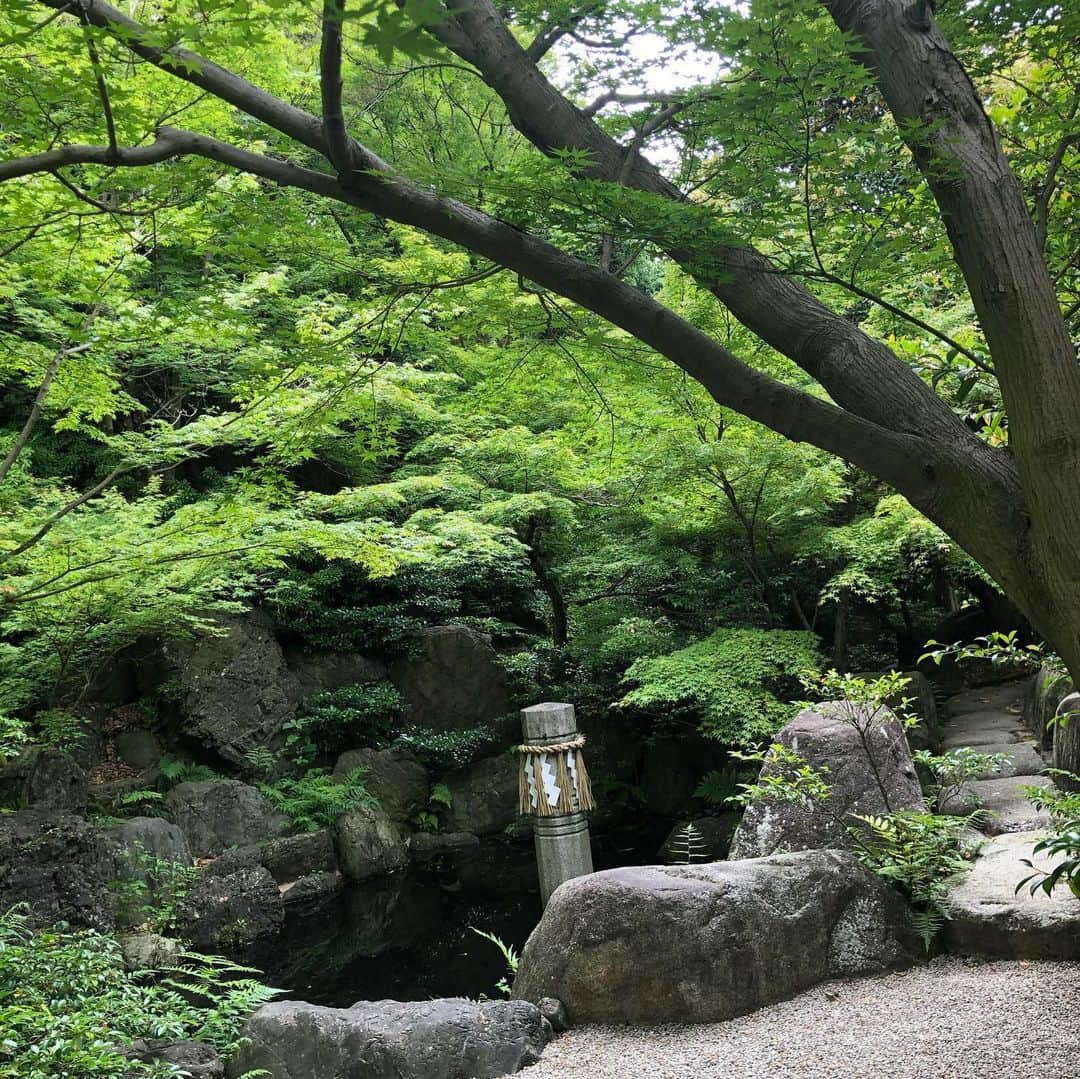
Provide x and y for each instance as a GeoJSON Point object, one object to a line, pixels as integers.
{"type": "Point", "coordinates": [232, 911]}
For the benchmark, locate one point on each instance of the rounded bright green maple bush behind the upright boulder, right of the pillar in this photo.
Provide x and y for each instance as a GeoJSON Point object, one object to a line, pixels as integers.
{"type": "Point", "coordinates": [736, 683]}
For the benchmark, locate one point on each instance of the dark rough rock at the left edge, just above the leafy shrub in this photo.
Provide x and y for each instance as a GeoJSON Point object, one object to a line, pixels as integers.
{"type": "Point", "coordinates": [53, 861]}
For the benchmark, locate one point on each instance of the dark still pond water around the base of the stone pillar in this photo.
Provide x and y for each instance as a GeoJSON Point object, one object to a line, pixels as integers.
{"type": "Point", "coordinates": [408, 937]}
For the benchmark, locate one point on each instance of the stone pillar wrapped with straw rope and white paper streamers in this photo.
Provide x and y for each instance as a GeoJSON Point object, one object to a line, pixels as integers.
{"type": "Point", "coordinates": [561, 828]}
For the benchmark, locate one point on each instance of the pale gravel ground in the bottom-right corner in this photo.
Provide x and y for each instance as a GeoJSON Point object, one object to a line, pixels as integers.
{"type": "Point", "coordinates": [954, 1019]}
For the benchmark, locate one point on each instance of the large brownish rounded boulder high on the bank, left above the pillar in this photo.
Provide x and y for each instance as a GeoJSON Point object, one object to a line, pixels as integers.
{"type": "Point", "coordinates": [456, 683]}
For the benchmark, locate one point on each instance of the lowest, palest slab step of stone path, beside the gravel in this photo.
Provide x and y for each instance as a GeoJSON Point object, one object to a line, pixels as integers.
{"type": "Point", "coordinates": [989, 918]}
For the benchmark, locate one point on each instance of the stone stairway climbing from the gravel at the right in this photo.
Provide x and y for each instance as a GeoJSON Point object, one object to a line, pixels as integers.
{"type": "Point", "coordinates": [989, 918]}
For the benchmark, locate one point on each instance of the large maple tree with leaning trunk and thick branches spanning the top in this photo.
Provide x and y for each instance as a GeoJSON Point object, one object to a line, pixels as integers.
{"type": "Point", "coordinates": [1015, 509]}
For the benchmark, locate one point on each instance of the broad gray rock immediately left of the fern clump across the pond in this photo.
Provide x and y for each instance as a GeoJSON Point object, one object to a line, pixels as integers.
{"type": "Point", "coordinates": [217, 815]}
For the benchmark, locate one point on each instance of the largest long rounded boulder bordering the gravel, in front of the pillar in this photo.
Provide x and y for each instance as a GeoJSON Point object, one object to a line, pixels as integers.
{"type": "Point", "coordinates": [703, 943]}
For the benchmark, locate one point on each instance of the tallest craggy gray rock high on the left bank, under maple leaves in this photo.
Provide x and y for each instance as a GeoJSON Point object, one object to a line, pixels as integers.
{"type": "Point", "coordinates": [238, 692]}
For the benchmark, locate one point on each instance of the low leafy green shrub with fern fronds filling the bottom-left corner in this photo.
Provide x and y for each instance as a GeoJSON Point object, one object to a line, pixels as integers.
{"type": "Point", "coordinates": [70, 1008]}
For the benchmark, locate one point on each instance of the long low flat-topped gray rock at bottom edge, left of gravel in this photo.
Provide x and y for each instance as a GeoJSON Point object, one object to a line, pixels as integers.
{"type": "Point", "coordinates": [431, 1040]}
